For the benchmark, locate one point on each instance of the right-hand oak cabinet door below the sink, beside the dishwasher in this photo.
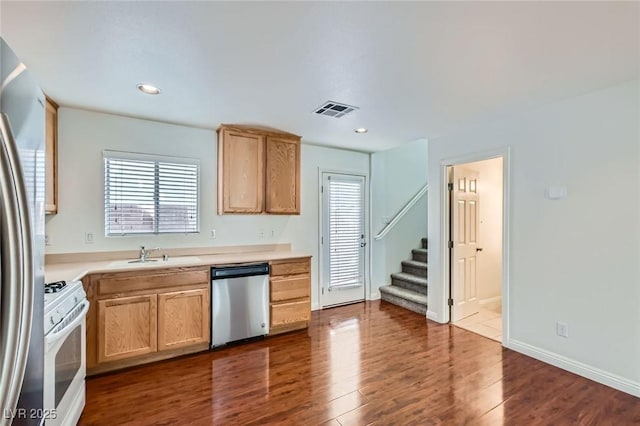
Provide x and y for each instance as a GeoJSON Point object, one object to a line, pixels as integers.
{"type": "Point", "coordinates": [183, 318]}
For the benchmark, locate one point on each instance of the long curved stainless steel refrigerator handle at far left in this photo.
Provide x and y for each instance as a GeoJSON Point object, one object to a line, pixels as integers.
{"type": "Point", "coordinates": [16, 272]}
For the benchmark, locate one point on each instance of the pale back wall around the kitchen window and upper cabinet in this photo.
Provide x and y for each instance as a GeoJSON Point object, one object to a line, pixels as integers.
{"type": "Point", "coordinates": [83, 135]}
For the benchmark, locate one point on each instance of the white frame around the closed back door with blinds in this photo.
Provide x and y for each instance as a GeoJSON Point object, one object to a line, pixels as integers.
{"type": "Point", "coordinates": [367, 239]}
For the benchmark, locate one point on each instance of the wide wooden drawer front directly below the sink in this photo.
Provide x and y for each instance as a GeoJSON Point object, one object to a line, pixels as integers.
{"type": "Point", "coordinates": [120, 284]}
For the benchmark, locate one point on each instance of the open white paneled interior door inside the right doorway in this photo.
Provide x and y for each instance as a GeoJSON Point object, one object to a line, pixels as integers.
{"type": "Point", "coordinates": [464, 224]}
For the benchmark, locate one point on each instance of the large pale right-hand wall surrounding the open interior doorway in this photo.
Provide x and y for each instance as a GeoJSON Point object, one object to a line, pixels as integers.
{"type": "Point", "coordinates": [574, 260]}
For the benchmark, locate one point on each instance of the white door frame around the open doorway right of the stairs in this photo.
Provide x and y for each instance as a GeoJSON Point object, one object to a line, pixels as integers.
{"type": "Point", "coordinates": [505, 153]}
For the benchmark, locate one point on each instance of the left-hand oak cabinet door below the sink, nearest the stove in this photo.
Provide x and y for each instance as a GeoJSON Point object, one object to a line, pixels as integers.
{"type": "Point", "coordinates": [127, 327]}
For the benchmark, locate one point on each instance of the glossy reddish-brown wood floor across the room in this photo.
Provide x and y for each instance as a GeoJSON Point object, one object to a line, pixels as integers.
{"type": "Point", "coordinates": [370, 363]}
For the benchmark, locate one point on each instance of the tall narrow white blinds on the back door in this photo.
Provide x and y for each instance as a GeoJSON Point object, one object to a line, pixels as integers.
{"type": "Point", "coordinates": [346, 230]}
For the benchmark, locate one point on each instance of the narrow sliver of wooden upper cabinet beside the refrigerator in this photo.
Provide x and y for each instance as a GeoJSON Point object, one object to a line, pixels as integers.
{"type": "Point", "coordinates": [51, 157]}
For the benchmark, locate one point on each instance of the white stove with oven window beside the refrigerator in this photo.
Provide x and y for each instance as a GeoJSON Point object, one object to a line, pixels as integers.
{"type": "Point", "coordinates": [65, 311]}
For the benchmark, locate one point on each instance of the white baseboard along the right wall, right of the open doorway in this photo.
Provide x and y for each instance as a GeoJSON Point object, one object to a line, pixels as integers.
{"type": "Point", "coordinates": [579, 368]}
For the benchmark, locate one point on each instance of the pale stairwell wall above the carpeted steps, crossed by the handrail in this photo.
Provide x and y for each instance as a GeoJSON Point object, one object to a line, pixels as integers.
{"type": "Point", "coordinates": [396, 176]}
